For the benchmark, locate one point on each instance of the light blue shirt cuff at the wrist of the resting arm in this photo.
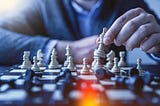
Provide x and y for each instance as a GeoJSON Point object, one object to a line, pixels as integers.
{"type": "Point", "coordinates": [48, 50]}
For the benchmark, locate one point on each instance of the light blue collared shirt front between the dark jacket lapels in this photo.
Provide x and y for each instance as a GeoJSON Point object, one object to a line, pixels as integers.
{"type": "Point", "coordinates": [85, 17]}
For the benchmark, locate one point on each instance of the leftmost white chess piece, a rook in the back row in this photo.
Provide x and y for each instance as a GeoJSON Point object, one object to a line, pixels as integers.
{"type": "Point", "coordinates": [26, 62]}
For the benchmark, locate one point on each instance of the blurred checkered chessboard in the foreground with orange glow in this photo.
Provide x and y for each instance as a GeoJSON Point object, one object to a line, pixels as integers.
{"type": "Point", "coordinates": [87, 90]}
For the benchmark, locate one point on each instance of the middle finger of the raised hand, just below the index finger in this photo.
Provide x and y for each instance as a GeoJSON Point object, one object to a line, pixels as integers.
{"type": "Point", "coordinates": [131, 26]}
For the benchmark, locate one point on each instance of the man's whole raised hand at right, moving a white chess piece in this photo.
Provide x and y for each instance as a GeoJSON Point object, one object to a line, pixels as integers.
{"type": "Point", "coordinates": [135, 28]}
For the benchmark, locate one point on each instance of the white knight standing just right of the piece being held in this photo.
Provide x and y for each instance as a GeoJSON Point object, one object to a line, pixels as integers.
{"type": "Point", "coordinates": [110, 57]}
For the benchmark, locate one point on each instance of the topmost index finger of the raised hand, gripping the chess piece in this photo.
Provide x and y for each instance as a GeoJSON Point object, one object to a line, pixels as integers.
{"type": "Point", "coordinates": [119, 23]}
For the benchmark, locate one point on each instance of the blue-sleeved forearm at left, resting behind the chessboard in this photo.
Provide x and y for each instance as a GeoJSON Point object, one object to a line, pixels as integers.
{"type": "Point", "coordinates": [13, 44]}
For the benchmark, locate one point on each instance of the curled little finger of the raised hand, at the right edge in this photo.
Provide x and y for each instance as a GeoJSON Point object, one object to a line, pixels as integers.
{"type": "Point", "coordinates": [152, 44]}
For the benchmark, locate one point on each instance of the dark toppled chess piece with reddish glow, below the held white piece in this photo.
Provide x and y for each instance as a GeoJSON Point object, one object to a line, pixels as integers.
{"type": "Point", "coordinates": [103, 74]}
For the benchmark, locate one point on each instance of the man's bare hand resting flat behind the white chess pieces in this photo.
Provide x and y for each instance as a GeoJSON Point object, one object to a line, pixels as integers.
{"type": "Point", "coordinates": [79, 49]}
